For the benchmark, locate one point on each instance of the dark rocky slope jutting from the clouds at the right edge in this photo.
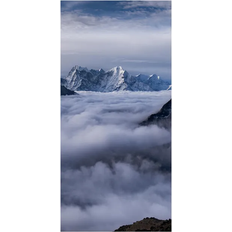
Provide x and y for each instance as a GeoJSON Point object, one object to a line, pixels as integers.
{"type": "Point", "coordinates": [162, 118]}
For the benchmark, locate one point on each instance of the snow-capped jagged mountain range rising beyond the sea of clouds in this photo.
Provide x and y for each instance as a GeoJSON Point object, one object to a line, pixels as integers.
{"type": "Point", "coordinates": [115, 79]}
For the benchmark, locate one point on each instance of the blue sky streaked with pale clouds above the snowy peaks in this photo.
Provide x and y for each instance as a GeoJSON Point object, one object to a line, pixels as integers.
{"type": "Point", "coordinates": [102, 34]}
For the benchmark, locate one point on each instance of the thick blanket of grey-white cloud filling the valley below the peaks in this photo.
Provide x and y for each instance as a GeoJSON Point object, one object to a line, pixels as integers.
{"type": "Point", "coordinates": [113, 172]}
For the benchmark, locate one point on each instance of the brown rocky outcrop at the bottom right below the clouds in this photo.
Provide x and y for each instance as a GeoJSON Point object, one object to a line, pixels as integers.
{"type": "Point", "coordinates": [148, 224]}
